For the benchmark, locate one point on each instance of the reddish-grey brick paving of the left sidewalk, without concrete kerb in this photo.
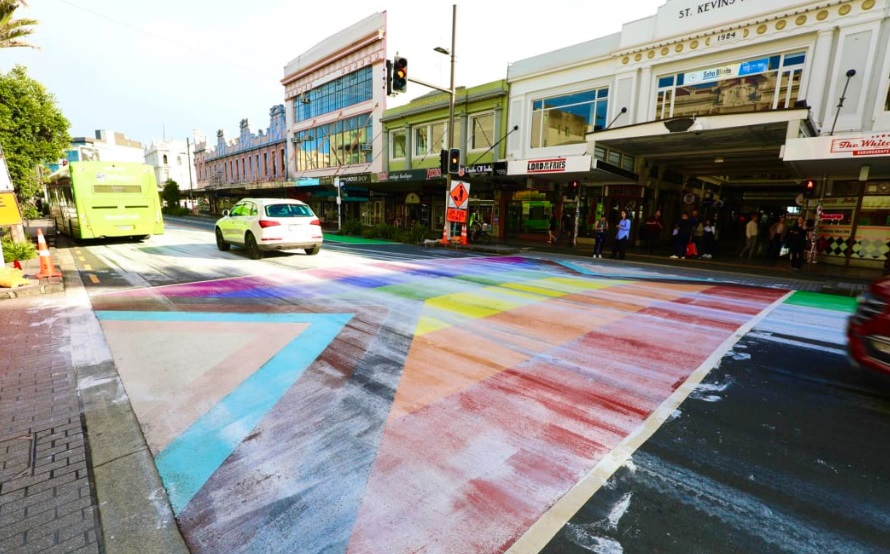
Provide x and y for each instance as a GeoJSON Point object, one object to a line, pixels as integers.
{"type": "Point", "coordinates": [46, 495]}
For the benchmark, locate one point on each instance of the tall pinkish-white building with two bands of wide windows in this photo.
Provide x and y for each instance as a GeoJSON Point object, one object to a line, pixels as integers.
{"type": "Point", "coordinates": [335, 96]}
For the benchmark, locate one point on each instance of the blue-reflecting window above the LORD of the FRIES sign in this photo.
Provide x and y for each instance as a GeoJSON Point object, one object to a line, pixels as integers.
{"type": "Point", "coordinates": [567, 119]}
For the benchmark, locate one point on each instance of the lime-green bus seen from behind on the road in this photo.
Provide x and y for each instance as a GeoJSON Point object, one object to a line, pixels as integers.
{"type": "Point", "coordinates": [90, 200]}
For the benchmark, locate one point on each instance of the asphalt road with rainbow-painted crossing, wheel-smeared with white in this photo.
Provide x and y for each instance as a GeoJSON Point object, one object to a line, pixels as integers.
{"type": "Point", "coordinates": [389, 398]}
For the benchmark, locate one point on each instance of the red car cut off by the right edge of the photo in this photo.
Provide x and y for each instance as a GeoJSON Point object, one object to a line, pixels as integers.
{"type": "Point", "coordinates": [868, 331]}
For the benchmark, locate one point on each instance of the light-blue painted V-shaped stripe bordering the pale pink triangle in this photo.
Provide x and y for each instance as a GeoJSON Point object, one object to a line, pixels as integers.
{"type": "Point", "coordinates": [192, 457]}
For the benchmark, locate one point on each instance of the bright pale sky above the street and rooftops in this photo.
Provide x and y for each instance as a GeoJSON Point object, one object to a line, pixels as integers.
{"type": "Point", "coordinates": [165, 69]}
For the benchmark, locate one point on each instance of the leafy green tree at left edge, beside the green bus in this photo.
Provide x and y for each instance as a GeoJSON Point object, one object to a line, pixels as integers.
{"type": "Point", "coordinates": [32, 129]}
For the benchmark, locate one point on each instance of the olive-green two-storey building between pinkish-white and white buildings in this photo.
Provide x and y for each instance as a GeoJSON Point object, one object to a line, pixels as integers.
{"type": "Point", "coordinates": [412, 190]}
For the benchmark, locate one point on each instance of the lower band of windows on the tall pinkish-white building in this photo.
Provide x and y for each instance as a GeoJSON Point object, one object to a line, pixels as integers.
{"type": "Point", "coordinates": [344, 142]}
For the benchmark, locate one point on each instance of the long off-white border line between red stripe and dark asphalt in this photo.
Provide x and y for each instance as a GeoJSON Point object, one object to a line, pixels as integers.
{"type": "Point", "coordinates": [543, 530]}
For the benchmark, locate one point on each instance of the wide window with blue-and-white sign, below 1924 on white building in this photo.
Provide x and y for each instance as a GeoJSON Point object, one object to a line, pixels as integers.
{"type": "Point", "coordinates": [752, 85]}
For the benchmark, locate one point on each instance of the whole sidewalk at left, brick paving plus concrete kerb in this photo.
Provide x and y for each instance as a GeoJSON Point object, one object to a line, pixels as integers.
{"type": "Point", "coordinates": [75, 472]}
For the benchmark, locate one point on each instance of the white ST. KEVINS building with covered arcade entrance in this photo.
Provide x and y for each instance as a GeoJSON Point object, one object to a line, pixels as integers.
{"type": "Point", "coordinates": [725, 107]}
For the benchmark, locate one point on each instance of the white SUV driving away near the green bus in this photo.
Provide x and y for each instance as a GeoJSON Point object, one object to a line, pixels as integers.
{"type": "Point", "coordinates": [264, 224]}
